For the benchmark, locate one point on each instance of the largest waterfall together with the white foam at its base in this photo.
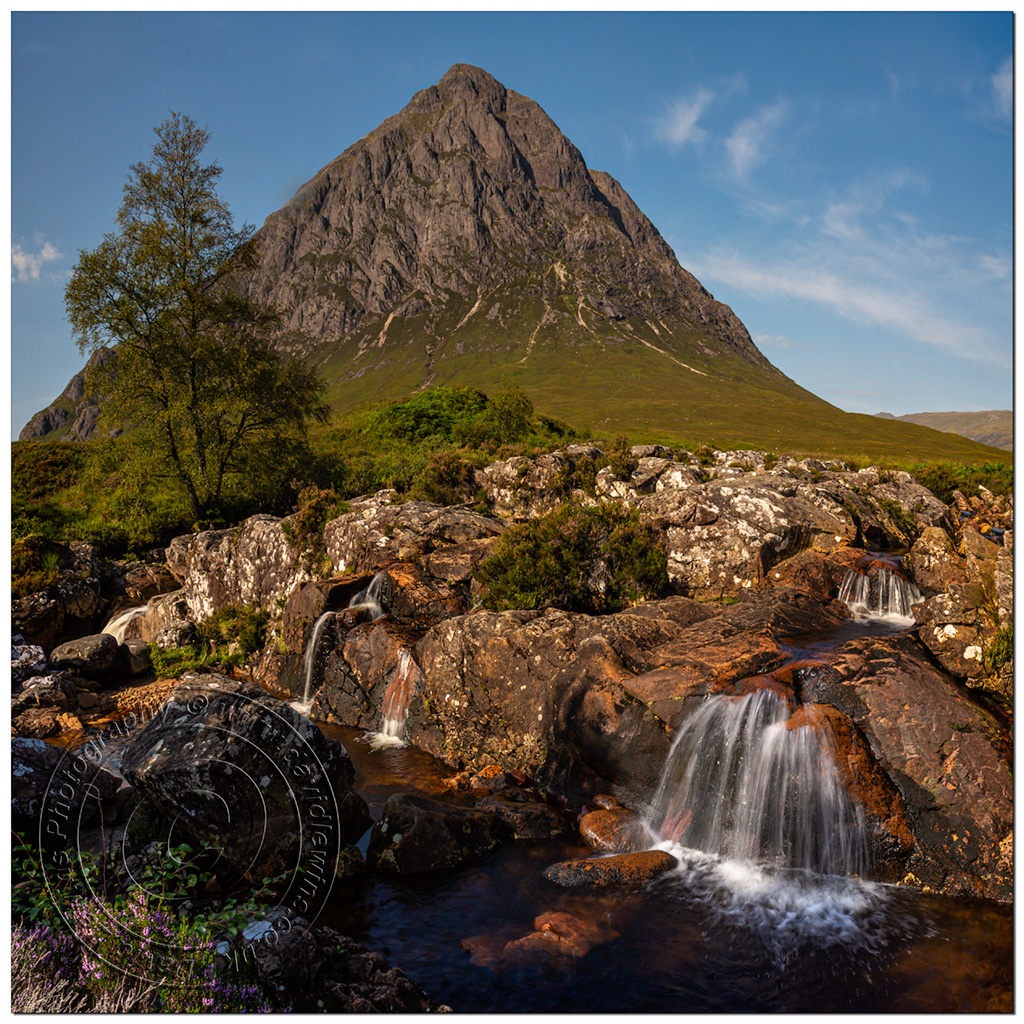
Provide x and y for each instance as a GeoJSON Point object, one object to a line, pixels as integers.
{"type": "Point", "coordinates": [766, 836]}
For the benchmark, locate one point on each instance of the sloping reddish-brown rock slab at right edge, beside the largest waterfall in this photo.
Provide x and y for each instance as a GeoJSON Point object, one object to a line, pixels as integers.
{"type": "Point", "coordinates": [947, 756]}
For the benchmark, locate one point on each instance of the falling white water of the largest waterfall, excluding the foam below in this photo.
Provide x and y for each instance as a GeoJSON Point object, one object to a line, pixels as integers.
{"type": "Point", "coordinates": [741, 785]}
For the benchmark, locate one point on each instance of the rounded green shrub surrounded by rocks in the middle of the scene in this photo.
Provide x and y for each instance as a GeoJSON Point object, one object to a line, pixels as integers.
{"type": "Point", "coordinates": [603, 559]}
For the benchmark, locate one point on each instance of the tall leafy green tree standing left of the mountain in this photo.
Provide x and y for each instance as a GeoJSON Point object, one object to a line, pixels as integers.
{"type": "Point", "coordinates": [198, 383]}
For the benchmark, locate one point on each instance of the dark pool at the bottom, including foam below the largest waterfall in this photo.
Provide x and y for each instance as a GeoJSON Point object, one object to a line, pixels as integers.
{"type": "Point", "coordinates": [711, 937]}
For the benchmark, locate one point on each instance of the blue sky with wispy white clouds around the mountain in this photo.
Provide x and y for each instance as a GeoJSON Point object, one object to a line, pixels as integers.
{"type": "Point", "coordinates": [843, 182]}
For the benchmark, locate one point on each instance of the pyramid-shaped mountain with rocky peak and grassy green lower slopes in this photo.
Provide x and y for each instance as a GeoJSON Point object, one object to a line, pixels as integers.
{"type": "Point", "coordinates": [465, 242]}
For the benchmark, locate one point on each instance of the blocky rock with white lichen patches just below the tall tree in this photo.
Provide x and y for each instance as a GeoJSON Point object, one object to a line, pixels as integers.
{"type": "Point", "coordinates": [251, 565]}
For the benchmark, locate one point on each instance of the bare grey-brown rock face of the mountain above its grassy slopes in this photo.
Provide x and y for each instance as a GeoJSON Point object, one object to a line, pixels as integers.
{"type": "Point", "coordinates": [471, 216]}
